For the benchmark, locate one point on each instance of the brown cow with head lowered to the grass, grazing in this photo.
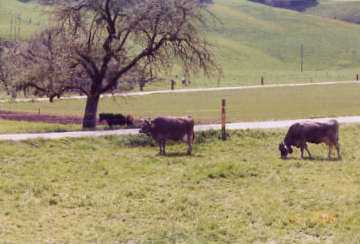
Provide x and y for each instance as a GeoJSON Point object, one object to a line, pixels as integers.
{"type": "Point", "coordinates": [313, 132]}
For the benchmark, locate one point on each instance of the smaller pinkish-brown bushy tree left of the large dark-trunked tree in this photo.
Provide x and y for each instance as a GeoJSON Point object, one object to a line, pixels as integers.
{"type": "Point", "coordinates": [47, 68]}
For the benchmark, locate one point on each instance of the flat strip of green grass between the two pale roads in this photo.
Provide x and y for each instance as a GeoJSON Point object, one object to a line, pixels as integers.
{"type": "Point", "coordinates": [242, 105]}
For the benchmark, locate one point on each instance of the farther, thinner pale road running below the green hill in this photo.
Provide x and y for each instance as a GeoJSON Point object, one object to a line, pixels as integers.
{"type": "Point", "coordinates": [192, 90]}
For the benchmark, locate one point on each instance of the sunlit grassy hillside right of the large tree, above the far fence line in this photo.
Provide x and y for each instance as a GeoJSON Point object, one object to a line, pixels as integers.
{"type": "Point", "coordinates": [256, 39]}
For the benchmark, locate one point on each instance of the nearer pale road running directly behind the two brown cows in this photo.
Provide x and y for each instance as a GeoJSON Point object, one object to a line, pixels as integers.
{"type": "Point", "coordinates": [232, 126]}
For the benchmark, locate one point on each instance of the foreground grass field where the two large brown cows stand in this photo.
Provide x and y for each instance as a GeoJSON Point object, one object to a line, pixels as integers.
{"type": "Point", "coordinates": [118, 190]}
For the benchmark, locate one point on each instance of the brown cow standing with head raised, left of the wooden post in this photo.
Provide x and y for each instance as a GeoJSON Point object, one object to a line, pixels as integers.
{"type": "Point", "coordinates": [162, 129]}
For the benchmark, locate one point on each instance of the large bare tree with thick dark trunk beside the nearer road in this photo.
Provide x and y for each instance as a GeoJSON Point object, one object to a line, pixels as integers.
{"type": "Point", "coordinates": [101, 44]}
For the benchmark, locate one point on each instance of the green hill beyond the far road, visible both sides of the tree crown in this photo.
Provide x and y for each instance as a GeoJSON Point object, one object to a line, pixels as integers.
{"type": "Point", "coordinates": [250, 40]}
